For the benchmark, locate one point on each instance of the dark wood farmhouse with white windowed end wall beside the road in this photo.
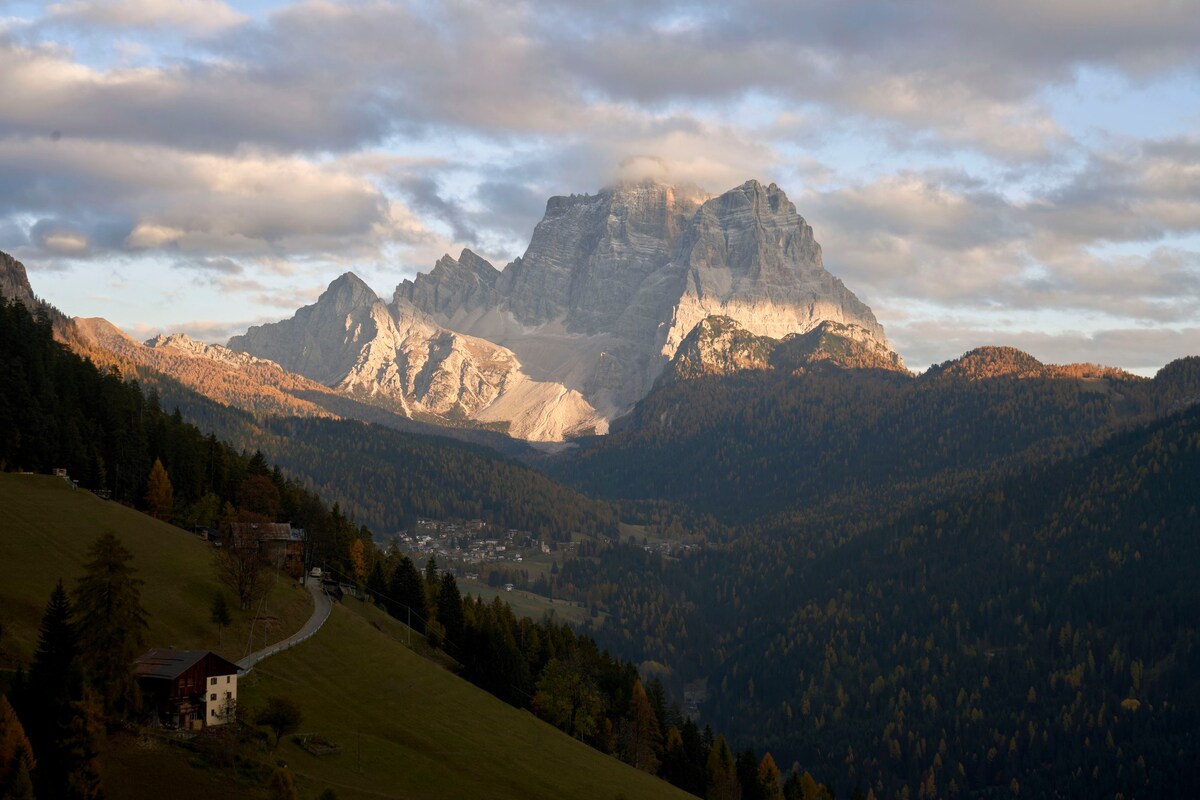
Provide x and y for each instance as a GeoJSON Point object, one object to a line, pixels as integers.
{"type": "Point", "coordinates": [188, 689]}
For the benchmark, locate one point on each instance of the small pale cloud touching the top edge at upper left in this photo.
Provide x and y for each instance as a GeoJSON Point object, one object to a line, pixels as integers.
{"type": "Point", "coordinates": [202, 16]}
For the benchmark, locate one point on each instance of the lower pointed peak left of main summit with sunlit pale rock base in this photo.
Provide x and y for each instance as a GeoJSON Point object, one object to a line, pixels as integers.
{"type": "Point", "coordinates": [398, 357]}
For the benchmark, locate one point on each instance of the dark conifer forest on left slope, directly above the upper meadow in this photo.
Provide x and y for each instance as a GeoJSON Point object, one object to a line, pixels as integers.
{"type": "Point", "coordinates": [59, 412]}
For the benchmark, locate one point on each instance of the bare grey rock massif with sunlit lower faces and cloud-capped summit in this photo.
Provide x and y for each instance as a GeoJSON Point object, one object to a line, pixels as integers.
{"type": "Point", "coordinates": [589, 316]}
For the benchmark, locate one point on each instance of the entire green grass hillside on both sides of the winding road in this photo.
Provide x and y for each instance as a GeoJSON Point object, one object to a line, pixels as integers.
{"type": "Point", "coordinates": [424, 732]}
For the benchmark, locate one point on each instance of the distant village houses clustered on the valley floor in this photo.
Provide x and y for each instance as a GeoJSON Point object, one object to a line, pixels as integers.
{"type": "Point", "coordinates": [472, 543]}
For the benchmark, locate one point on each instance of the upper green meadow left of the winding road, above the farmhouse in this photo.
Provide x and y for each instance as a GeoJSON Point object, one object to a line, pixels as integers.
{"type": "Point", "coordinates": [46, 528]}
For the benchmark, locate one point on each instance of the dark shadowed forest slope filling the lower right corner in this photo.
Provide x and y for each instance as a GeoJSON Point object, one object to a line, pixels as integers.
{"type": "Point", "coordinates": [1036, 635]}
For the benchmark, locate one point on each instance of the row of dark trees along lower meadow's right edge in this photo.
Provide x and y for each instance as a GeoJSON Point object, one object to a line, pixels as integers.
{"type": "Point", "coordinates": [568, 681]}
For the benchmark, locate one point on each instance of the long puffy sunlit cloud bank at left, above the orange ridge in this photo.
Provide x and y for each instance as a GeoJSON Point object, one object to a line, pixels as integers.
{"type": "Point", "coordinates": [250, 206]}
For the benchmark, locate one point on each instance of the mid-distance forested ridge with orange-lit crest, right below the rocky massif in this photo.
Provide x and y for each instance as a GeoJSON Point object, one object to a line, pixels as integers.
{"type": "Point", "coordinates": [775, 443]}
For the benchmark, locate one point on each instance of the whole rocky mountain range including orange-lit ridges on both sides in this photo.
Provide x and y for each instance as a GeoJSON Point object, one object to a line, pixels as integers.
{"type": "Point", "coordinates": [639, 286]}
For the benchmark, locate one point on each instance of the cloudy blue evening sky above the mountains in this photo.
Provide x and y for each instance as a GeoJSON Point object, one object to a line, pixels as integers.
{"type": "Point", "coordinates": [1022, 173]}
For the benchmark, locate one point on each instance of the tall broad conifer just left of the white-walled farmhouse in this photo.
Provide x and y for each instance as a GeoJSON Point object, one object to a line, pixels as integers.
{"type": "Point", "coordinates": [112, 625]}
